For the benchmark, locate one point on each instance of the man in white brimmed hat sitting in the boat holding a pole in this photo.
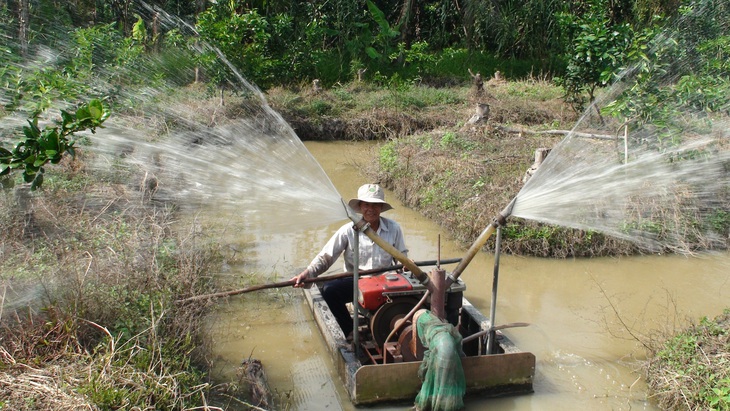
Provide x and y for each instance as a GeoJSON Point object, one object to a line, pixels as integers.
{"type": "Point", "coordinates": [370, 202]}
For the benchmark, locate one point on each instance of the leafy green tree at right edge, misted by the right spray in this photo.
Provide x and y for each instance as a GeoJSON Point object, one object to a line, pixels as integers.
{"type": "Point", "coordinates": [677, 80]}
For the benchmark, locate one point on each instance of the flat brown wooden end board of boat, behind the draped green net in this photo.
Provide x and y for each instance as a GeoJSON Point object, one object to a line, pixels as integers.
{"type": "Point", "coordinates": [499, 374]}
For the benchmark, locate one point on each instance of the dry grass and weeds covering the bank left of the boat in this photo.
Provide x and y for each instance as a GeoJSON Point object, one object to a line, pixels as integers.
{"type": "Point", "coordinates": [91, 268]}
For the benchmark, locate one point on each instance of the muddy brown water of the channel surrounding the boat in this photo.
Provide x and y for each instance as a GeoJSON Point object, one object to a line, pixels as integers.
{"type": "Point", "coordinates": [583, 313]}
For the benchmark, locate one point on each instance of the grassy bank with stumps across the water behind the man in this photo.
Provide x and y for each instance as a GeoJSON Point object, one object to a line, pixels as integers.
{"type": "Point", "coordinates": [458, 174]}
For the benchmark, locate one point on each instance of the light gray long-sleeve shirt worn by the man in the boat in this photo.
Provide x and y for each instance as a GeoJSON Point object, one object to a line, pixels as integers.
{"type": "Point", "coordinates": [371, 255]}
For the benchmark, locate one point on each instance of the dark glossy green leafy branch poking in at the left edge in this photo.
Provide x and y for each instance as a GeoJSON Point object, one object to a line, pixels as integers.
{"type": "Point", "coordinates": [51, 143]}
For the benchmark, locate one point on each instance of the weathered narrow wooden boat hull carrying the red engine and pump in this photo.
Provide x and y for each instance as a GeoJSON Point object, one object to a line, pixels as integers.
{"type": "Point", "coordinates": [368, 380]}
